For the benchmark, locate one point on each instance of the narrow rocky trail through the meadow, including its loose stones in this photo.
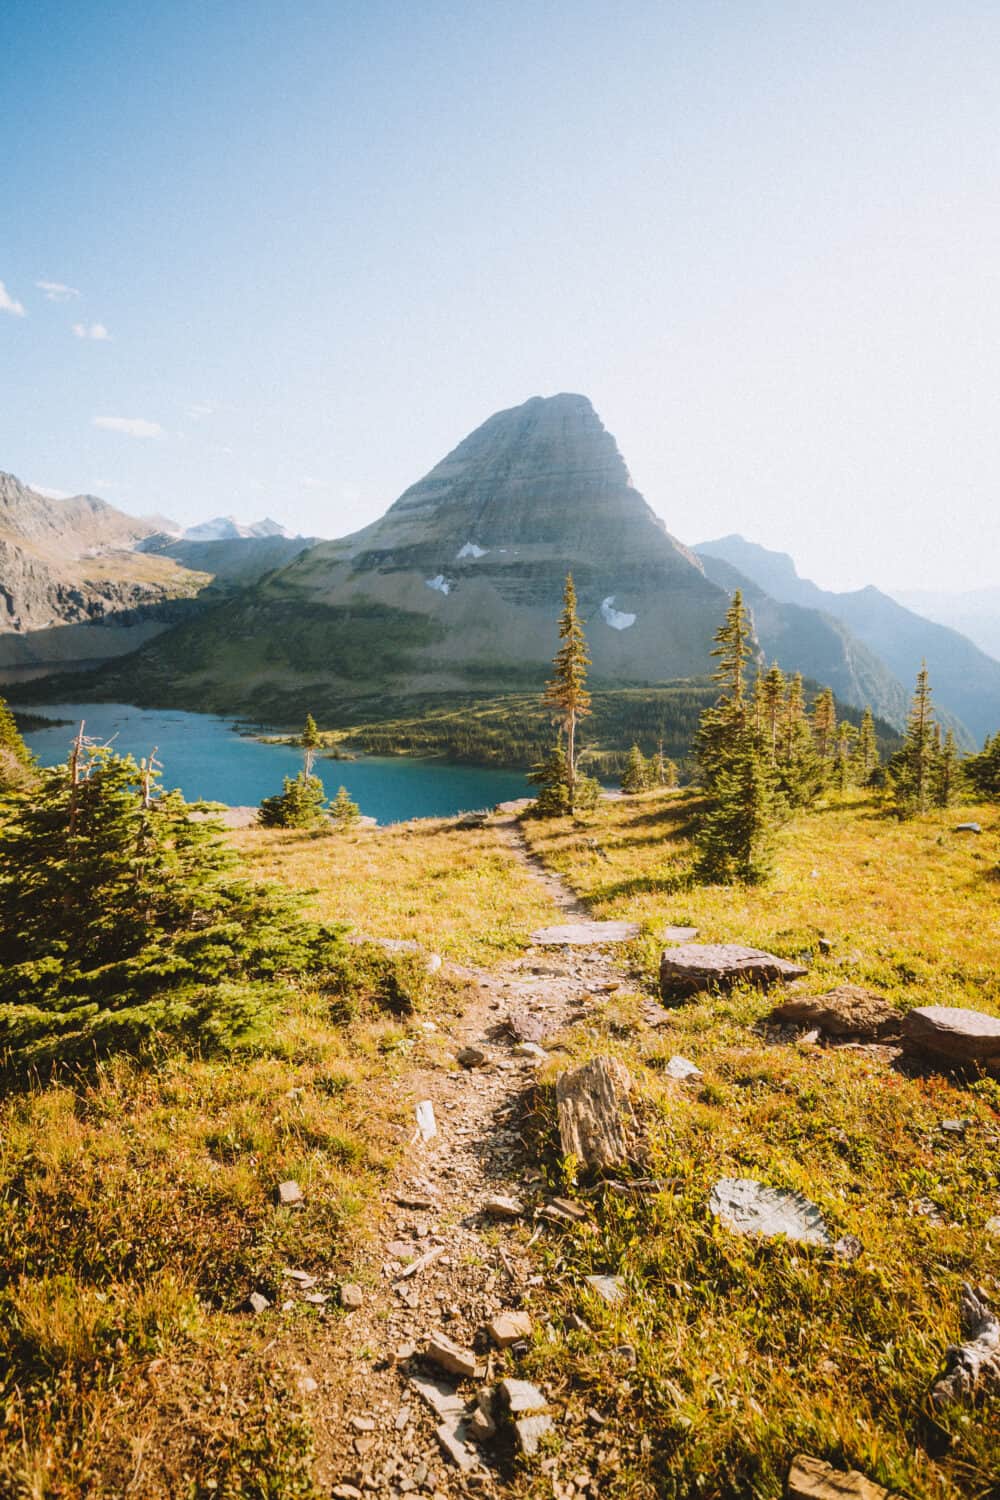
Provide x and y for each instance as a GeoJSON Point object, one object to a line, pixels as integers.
{"type": "Point", "coordinates": [428, 1399]}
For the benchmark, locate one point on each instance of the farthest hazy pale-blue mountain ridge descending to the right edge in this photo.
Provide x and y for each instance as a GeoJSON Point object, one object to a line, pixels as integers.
{"type": "Point", "coordinates": [966, 682]}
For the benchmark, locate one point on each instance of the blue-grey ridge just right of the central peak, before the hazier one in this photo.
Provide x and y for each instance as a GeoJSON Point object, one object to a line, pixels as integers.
{"type": "Point", "coordinates": [816, 644]}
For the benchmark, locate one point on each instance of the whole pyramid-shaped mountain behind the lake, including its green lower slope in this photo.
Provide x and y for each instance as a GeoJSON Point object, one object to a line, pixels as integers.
{"type": "Point", "coordinates": [457, 590]}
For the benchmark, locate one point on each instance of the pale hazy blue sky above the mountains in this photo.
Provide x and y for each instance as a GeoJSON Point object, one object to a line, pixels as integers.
{"type": "Point", "coordinates": [281, 256]}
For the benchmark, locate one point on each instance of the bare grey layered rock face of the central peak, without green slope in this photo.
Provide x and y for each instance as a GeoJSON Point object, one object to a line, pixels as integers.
{"type": "Point", "coordinates": [482, 545]}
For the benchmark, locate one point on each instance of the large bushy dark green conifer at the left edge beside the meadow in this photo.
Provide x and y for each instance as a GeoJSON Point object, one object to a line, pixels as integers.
{"type": "Point", "coordinates": [122, 920]}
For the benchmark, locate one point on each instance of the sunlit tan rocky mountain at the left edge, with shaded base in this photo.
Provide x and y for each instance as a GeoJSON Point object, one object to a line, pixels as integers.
{"type": "Point", "coordinates": [71, 584]}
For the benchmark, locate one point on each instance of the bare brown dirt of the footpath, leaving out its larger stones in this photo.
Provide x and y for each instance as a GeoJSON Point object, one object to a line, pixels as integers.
{"type": "Point", "coordinates": [383, 1439]}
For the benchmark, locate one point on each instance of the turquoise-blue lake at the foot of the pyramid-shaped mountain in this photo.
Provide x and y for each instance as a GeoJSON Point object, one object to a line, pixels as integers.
{"type": "Point", "coordinates": [208, 758]}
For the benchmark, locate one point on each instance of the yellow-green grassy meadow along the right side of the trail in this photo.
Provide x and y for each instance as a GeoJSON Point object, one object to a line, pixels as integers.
{"type": "Point", "coordinates": [750, 1352]}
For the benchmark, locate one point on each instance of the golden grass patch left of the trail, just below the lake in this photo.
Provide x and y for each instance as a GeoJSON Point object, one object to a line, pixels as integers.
{"type": "Point", "coordinates": [457, 892]}
